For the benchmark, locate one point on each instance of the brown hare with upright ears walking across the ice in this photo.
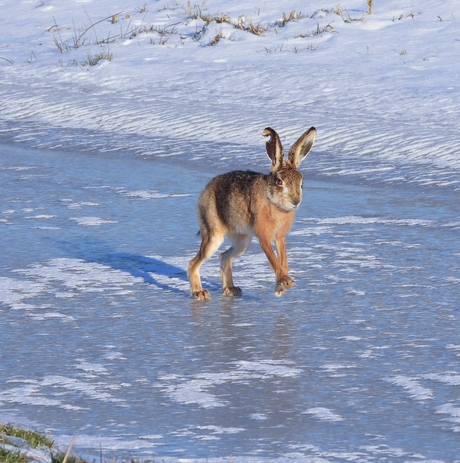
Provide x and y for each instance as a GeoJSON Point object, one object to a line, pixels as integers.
{"type": "Point", "coordinates": [241, 204]}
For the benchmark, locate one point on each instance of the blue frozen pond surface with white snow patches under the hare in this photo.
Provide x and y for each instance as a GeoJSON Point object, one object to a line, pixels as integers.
{"type": "Point", "coordinates": [100, 339]}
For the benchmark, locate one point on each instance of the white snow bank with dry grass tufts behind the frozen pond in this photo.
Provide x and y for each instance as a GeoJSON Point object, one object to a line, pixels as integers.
{"type": "Point", "coordinates": [379, 87]}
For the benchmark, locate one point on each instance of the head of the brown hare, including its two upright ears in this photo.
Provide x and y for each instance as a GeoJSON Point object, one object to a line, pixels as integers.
{"type": "Point", "coordinates": [285, 181]}
